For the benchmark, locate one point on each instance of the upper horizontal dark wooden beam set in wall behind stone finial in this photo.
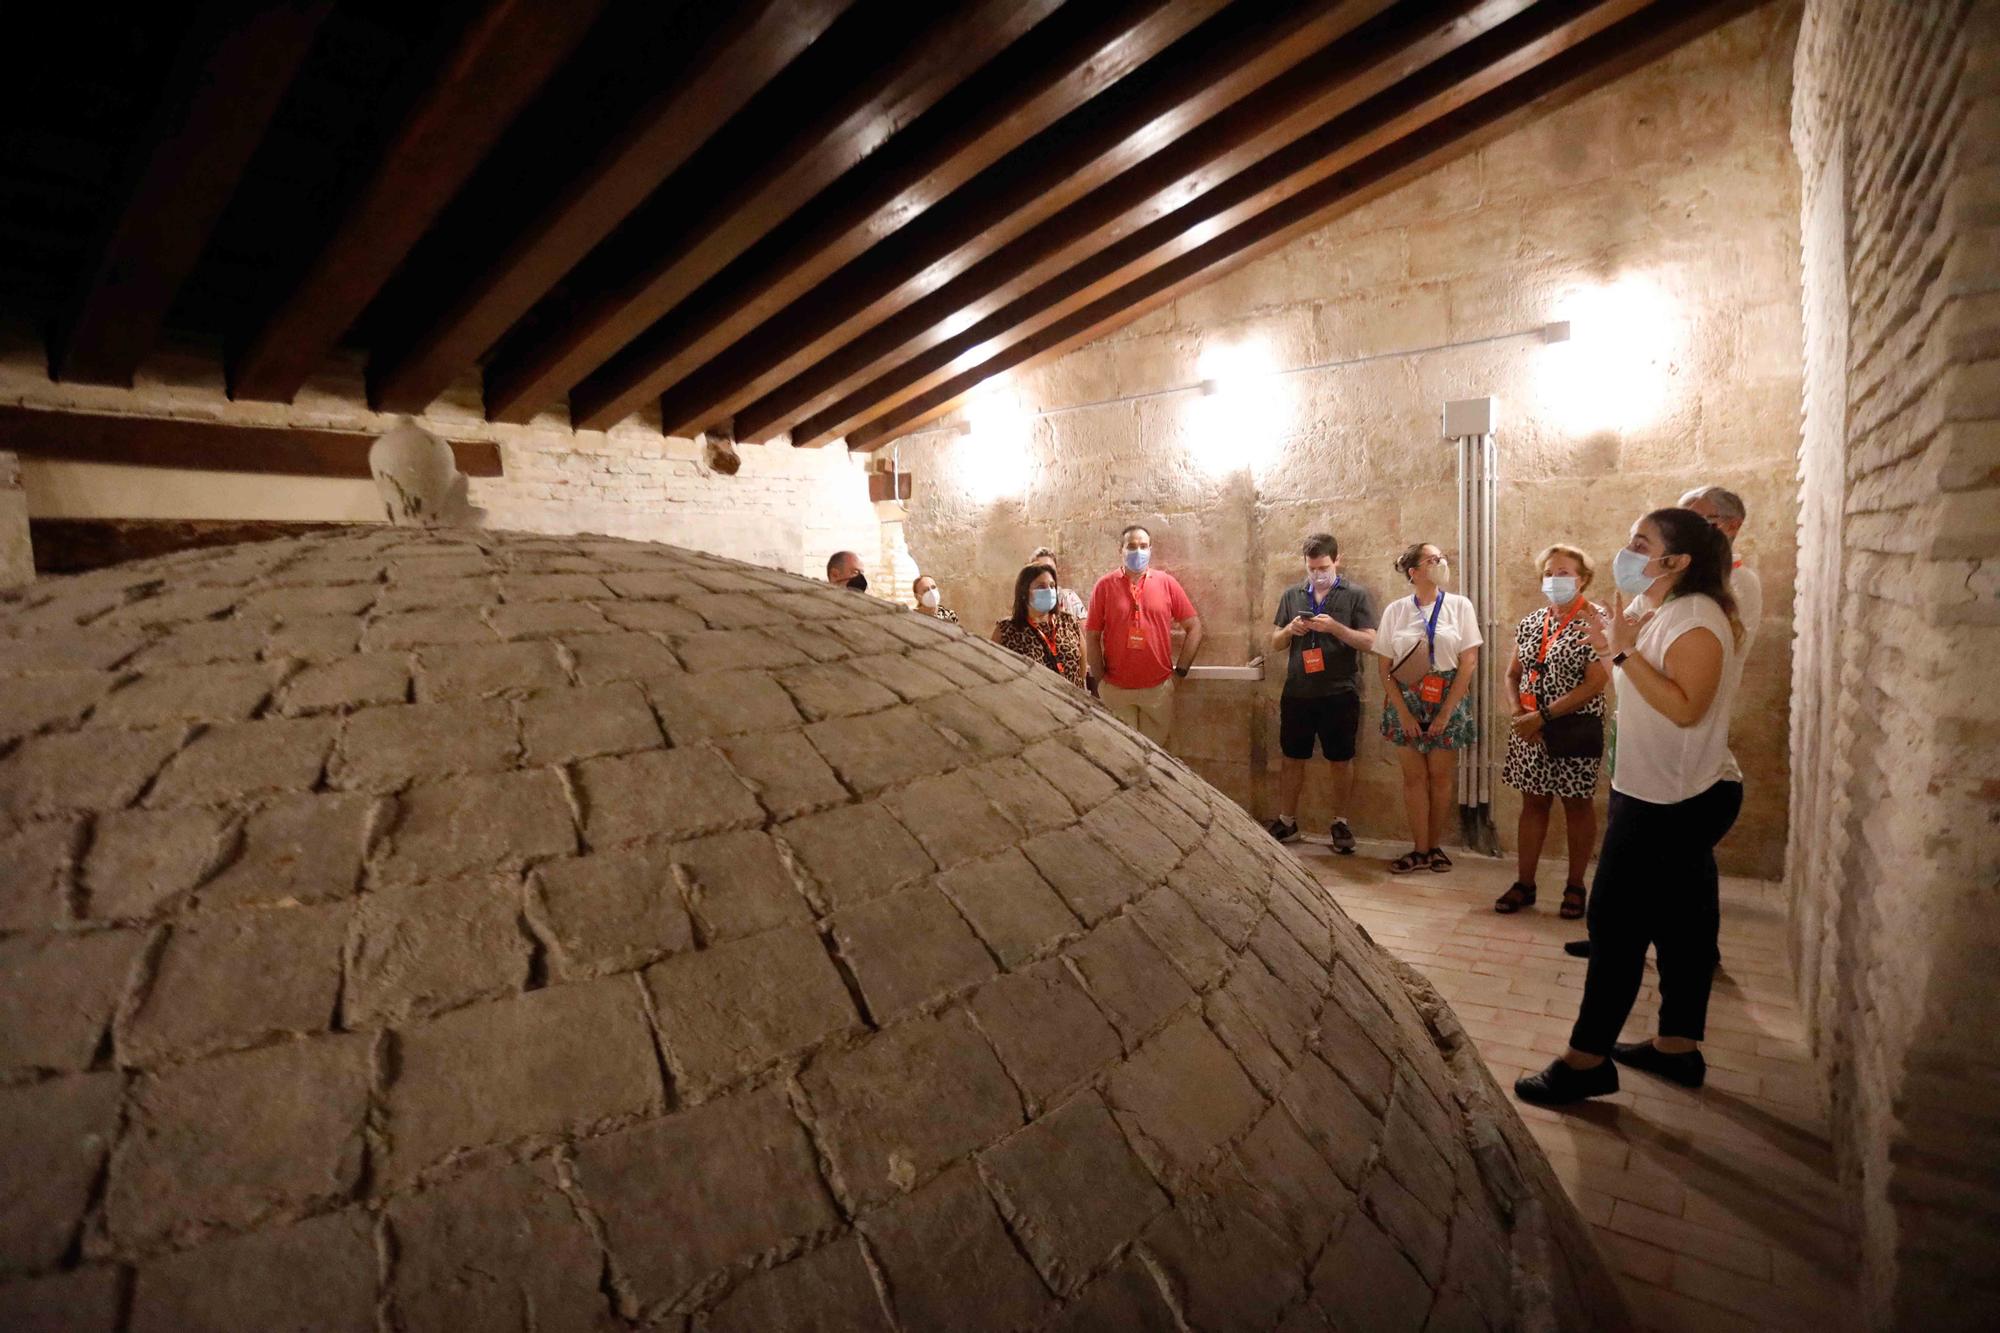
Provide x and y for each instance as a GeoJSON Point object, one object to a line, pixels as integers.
{"type": "Point", "coordinates": [207, 445]}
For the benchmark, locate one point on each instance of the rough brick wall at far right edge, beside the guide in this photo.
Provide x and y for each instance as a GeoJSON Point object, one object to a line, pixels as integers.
{"type": "Point", "coordinates": [1895, 742]}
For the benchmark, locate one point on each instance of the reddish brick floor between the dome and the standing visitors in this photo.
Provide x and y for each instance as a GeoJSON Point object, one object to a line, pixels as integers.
{"type": "Point", "coordinates": [1717, 1210]}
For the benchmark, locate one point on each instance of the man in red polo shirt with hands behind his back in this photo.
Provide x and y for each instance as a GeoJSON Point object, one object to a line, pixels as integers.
{"type": "Point", "coordinates": [1129, 639]}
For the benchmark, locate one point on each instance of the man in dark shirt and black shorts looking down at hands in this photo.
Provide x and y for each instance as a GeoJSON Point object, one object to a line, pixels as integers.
{"type": "Point", "coordinates": [1325, 623]}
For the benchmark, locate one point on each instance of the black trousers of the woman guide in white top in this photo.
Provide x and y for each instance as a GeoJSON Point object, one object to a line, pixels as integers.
{"type": "Point", "coordinates": [1657, 886]}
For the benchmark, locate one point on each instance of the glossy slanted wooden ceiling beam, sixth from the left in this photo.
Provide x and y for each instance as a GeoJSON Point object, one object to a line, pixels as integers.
{"type": "Point", "coordinates": [1203, 75]}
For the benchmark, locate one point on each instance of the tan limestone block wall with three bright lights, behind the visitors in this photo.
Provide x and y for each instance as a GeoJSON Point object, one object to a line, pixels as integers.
{"type": "Point", "coordinates": [1661, 215]}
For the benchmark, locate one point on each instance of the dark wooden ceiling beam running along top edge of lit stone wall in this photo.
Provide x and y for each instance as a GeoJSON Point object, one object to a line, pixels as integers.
{"type": "Point", "coordinates": [1563, 77]}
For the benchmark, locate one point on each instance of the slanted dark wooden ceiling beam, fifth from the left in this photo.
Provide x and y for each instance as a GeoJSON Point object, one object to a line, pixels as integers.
{"type": "Point", "coordinates": [1065, 63]}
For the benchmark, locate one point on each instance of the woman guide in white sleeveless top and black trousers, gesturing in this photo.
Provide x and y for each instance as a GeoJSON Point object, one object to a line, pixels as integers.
{"type": "Point", "coordinates": [1675, 796]}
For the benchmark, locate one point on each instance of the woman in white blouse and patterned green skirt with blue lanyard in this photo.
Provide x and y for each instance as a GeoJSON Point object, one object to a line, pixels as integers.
{"type": "Point", "coordinates": [1429, 645]}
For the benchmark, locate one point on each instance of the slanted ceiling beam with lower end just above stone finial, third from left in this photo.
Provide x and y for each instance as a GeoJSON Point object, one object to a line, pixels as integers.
{"type": "Point", "coordinates": [753, 45]}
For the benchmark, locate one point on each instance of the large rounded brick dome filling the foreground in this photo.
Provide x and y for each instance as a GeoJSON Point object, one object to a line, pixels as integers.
{"type": "Point", "coordinates": [485, 932]}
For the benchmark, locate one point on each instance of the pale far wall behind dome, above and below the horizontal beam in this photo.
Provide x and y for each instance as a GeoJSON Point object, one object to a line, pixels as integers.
{"type": "Point", "coordinates": [787, 507]}
